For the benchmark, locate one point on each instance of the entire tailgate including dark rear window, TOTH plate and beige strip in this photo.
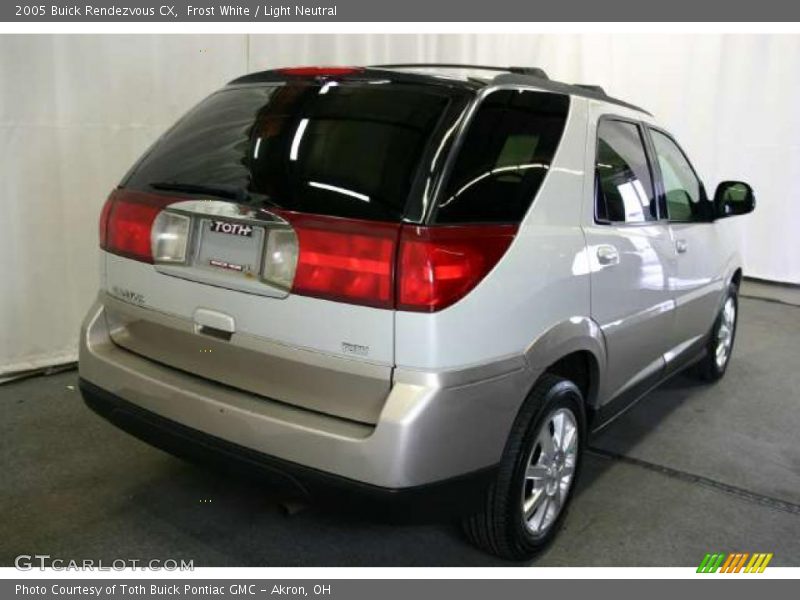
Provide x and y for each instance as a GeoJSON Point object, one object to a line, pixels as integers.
{"type": "Point", "coordinates": [279, 208]}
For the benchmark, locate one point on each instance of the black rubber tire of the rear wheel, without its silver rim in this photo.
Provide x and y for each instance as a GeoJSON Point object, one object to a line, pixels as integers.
{"type": "Point", "coordinates": [500, 528]}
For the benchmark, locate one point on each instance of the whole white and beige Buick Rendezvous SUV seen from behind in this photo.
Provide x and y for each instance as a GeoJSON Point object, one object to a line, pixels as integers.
{"type": "Point", "coordinates": [415, 284]}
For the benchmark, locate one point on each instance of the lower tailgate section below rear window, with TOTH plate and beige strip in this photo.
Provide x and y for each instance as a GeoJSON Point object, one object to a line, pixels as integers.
{"type": "Point", "coordinates": [217, 300]}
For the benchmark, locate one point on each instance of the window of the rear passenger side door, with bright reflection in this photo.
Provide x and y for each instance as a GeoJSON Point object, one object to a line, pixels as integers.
{"type": "Point", "coordinates": [624, 191]}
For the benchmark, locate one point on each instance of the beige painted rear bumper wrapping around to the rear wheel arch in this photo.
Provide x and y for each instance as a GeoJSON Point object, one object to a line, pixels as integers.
{"type": "Point", "coordinates": [433, 426]}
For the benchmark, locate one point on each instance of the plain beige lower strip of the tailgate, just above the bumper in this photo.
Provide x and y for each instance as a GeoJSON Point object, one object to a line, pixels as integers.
{"type": "Point", "coordinates": [326, 383]}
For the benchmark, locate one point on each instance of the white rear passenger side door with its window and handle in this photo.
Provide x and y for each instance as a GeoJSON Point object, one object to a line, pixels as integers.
{"type": "Point", "coordinates": [632, 258]}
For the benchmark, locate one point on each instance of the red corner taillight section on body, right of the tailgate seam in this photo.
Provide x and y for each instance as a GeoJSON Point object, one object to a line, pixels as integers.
{"type": "Point", "coordinates": [438, 266]}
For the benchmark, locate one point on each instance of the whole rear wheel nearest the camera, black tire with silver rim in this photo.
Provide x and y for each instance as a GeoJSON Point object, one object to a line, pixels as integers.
{"type": "Point", "coordinates": [526, 504]}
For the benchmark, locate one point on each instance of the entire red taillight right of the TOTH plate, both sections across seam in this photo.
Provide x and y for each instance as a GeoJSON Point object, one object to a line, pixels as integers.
{"type": "Point", "coordinates": [389, 265]}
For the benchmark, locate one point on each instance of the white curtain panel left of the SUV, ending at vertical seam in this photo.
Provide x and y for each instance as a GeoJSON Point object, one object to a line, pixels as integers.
{"type": "Point", "coordinates": [75, 112]}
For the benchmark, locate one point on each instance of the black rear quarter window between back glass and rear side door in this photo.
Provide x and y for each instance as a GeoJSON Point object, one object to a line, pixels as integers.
{"type": "Point", "coordinates": [505, 157]}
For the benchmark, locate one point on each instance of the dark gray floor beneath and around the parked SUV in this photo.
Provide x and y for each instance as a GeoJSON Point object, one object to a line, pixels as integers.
{"type": "Point", "coordinates": [690, 469]}
